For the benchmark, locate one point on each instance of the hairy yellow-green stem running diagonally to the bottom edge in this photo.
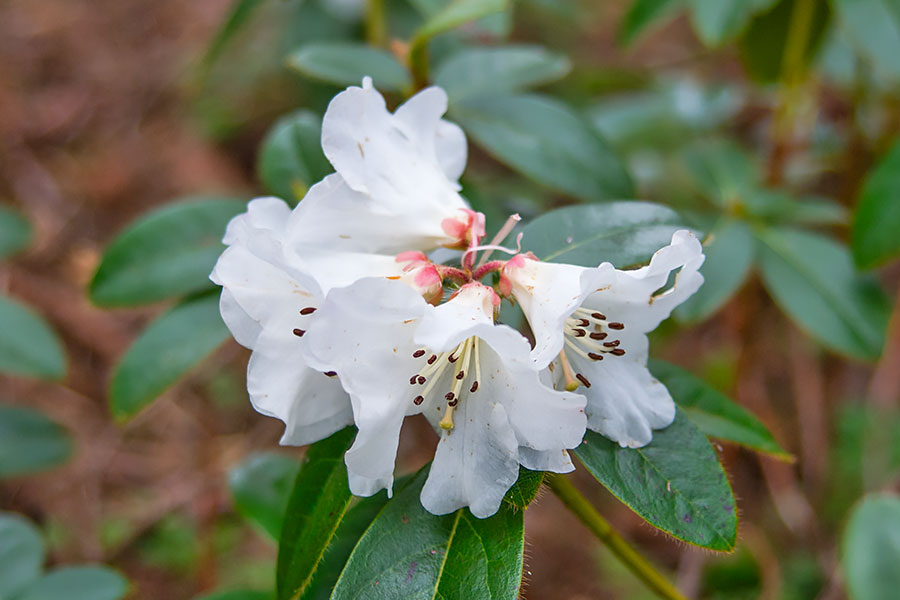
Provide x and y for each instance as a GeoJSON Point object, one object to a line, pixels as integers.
{"type": "Point", "coordinates": [599, 526]}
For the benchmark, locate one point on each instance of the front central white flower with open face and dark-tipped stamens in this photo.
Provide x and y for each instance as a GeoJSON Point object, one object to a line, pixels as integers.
{"type": "Point", "coordinates": [396, 356]}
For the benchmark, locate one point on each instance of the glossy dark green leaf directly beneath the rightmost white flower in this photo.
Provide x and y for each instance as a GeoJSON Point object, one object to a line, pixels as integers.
{"type": "Point", "coordinates": [675, 483]}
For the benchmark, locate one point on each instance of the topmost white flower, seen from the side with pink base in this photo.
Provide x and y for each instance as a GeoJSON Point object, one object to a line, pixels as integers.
{"type": "Point", "coordinates": [395, 188]}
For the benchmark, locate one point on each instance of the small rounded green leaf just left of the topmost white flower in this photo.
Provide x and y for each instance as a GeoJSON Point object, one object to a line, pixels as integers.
{"type": "Point", "coordinates": [291, 158]}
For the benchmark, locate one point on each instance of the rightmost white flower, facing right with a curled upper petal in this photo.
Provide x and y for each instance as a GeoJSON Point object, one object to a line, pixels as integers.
{"type": "Point", "coordinates": [592, 325]}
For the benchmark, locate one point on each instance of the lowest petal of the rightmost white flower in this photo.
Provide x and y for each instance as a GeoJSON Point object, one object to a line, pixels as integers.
{"type": "Point", "coordinates": [625, 402]}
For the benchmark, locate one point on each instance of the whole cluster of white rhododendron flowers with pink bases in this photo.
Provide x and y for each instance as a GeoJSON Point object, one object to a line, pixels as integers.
{"type": "Point", "coordinates": [353, 320]}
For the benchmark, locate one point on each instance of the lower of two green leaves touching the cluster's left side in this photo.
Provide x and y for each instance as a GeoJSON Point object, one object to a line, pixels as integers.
{"type": "Point", "coordinates": [171, 346]}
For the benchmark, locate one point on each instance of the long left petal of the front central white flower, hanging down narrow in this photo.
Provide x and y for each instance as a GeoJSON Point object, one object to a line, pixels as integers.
{"type": "Point", "coordinates": [364, 333]}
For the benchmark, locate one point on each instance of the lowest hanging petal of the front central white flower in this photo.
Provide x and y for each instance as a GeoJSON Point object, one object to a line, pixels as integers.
{"type": "Point", "coordinates": [475, 463]}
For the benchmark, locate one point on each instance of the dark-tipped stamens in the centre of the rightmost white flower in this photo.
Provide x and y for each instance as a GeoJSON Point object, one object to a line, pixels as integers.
{"type": "Point", "coordinates": [588, 334]}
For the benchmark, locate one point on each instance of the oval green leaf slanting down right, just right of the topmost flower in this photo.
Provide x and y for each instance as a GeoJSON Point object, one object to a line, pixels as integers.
{"type": "Point", "coordinates": [545, 140]}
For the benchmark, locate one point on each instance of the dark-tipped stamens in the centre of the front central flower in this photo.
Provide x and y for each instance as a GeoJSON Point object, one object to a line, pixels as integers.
{"type": "Point", "coordinates": [452, 371]}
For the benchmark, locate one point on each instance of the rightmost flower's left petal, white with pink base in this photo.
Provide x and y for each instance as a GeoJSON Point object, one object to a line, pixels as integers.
{"type": "Point", "coordinates": [548, 294]}
